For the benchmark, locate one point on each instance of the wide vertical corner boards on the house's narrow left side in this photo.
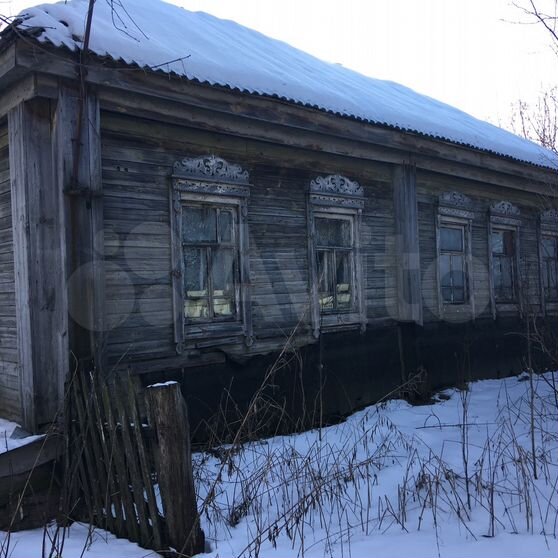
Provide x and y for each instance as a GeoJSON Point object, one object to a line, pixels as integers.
{"type": "Point", "coordinates": [39, 258]}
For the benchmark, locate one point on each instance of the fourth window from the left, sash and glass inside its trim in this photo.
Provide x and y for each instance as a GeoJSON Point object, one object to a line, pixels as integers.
{"type": "Point", "coordinates": [503, 265]}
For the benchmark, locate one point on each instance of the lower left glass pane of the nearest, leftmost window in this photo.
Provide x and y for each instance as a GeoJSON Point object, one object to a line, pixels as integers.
{"type": "Point", "coordinates": [196, 304]}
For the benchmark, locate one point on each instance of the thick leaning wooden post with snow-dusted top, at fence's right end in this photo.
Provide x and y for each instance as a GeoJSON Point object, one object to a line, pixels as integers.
{"type": "Point", "coordinates": [169, 417]}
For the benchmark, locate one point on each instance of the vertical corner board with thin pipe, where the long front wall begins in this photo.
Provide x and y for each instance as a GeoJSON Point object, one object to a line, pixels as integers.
{"type": "Point", "coordinates": [82, 186]}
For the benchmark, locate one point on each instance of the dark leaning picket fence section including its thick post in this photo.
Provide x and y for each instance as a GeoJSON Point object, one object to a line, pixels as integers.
{"type": "Point", "coordinates": [125, 475]}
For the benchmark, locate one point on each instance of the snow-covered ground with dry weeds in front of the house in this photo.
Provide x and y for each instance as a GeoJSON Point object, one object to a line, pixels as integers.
{"type": "Point", "coordinates": [390, 481]}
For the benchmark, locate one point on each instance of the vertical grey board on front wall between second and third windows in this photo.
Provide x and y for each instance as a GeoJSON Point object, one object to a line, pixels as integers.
{"type": "Point", "coordinates": [409, 292]}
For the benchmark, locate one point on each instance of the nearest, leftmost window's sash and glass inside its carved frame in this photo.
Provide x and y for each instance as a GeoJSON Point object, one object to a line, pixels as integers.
{"type": "Point", "coordinates": [210, 248]}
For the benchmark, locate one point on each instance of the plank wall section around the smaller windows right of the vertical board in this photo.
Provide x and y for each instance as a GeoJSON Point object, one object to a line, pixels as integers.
{"type": "Point", "coordinates": [482, 196]}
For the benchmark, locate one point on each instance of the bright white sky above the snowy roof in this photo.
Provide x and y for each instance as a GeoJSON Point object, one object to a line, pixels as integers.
{"type": "Point", "coordinates": [472, 54]}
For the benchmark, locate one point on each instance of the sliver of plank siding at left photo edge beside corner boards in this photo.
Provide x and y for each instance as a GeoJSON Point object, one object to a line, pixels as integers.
{"type": "Point", "coordinates": [10, 401]}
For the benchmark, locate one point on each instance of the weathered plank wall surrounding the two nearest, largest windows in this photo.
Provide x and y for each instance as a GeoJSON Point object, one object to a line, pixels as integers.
{"type": "Point", "coordinates": [137, 158]}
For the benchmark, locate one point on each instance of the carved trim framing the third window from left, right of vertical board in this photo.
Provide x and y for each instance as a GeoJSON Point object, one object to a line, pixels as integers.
{"type": "Point", "coordinates": [456, 209]}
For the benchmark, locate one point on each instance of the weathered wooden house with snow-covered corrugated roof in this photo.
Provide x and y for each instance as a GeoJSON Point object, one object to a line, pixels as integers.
{"type": "Point", "coordinates": [181, 197]}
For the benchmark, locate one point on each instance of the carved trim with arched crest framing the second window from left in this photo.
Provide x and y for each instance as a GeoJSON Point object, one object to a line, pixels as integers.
{"type": "Point", "coordinates": [331, 196]}
